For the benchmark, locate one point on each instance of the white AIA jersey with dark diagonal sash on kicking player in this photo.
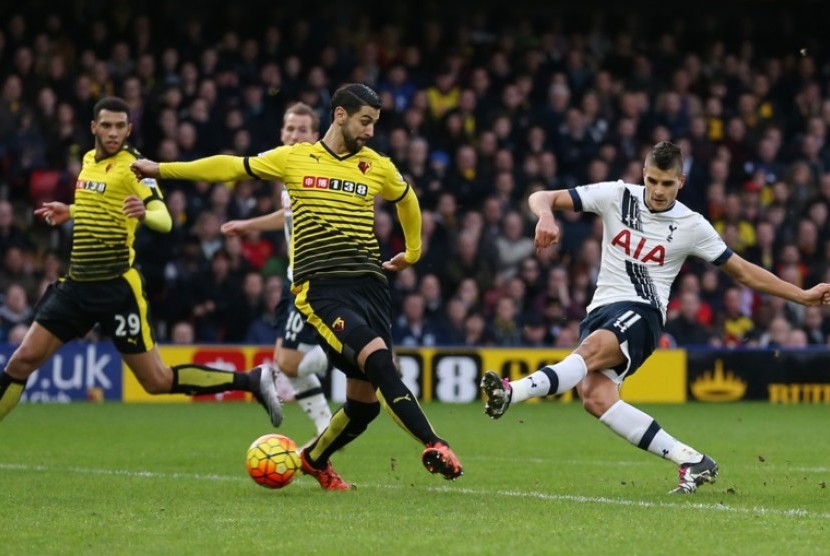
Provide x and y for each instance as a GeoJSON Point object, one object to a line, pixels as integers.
{"type": "Point", "coordinates": [642, 251]}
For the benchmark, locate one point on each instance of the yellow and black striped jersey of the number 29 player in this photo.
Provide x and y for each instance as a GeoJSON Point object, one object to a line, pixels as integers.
{"type": "Point", "coordinates": [102, 241]}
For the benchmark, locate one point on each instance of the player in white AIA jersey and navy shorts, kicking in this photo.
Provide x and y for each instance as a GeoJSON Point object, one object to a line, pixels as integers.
{"type": "Point", "coordinates": [647, 235]}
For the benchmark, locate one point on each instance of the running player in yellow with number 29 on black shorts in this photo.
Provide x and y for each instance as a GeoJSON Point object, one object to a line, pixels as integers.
{"type": "Point", "coordinates": [102, 285]}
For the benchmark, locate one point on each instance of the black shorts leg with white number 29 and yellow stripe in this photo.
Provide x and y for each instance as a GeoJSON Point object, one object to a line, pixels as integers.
{"type": "Point", "coordinates": [125, 314]}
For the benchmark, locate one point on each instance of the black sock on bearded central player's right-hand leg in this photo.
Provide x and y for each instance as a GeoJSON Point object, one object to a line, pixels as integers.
{"type": "Point", "coordinates": [396, 397]}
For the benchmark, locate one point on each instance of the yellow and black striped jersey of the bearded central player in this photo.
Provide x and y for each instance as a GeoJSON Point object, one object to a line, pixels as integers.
{"type": "Point", "coordinates": [333, 205]}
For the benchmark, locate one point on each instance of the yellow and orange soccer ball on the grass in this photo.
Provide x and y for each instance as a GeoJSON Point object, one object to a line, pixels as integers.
{"type": "Point", "coordinates": [272, 460]}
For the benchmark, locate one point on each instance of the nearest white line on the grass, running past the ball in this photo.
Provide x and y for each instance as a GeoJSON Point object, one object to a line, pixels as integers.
{"type": "Point", "coordinates": [794, 512]}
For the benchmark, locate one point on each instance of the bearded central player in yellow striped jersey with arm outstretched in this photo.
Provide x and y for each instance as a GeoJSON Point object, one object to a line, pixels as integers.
{"type": "Point", "coordinates": [338, 275]}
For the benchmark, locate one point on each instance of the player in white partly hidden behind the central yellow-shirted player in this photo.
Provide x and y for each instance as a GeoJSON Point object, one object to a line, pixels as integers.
{"type": "Point", "coordinates": [297, 352]}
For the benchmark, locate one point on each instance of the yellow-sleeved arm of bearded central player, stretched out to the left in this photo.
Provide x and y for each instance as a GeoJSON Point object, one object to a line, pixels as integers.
{"type": "Point", "coordinates": [219, 167]}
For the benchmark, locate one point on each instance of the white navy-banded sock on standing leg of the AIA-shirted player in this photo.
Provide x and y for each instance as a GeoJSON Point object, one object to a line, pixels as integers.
{"type": "Point", "coordinates": [643, 431]}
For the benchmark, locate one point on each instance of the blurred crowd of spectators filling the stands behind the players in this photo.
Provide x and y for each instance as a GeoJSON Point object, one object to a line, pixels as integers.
{"type": "Point", "coordinates": [481, 108]}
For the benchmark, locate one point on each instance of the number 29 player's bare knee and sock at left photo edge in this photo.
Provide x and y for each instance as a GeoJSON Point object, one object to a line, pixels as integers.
{"type": "Point", "coordinates": [37, 346]}
